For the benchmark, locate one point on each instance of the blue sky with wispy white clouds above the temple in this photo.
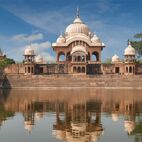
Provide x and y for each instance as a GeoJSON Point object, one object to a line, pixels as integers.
{"type": "Point", "coordinates": [113, 21]}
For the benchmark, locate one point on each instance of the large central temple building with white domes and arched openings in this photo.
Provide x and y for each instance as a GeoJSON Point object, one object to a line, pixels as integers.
{"type": "Point", "coordinates": [78, 46]}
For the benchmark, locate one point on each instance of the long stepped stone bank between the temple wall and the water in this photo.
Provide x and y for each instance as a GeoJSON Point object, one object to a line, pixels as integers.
{"type": "Point", "coordinates": [68, 81]}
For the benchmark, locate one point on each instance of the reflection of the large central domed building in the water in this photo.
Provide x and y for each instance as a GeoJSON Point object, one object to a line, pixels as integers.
{"type": "Point", "coordinates": [81, 122]}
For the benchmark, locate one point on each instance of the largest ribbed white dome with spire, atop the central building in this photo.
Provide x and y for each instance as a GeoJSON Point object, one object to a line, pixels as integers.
{"type": "Point", "coordinates": [77, 27]}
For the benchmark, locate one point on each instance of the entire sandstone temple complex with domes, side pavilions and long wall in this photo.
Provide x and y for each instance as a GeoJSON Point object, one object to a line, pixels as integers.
{"type": "Point", "coordinates": [78, 51]}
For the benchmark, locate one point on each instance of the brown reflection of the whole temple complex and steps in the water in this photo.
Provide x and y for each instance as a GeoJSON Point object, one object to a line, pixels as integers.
{"type": "Point", "coordinates": [78, 112]}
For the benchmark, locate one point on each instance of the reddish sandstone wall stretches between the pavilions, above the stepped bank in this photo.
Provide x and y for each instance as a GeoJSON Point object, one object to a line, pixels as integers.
{"type": "Point", "coordinates": [63, 68]}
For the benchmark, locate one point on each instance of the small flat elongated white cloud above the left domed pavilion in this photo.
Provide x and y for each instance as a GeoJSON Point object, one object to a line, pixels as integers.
{"type": "Point", "coordinates": [29, 38]}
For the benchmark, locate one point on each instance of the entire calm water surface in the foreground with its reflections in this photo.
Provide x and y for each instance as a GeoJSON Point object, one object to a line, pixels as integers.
{"type": "Point", "coordinates": [71, 115]}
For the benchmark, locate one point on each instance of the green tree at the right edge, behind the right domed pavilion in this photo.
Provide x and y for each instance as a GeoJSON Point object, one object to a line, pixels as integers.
{"type": "Point", "coordinates": [137, 44]}
